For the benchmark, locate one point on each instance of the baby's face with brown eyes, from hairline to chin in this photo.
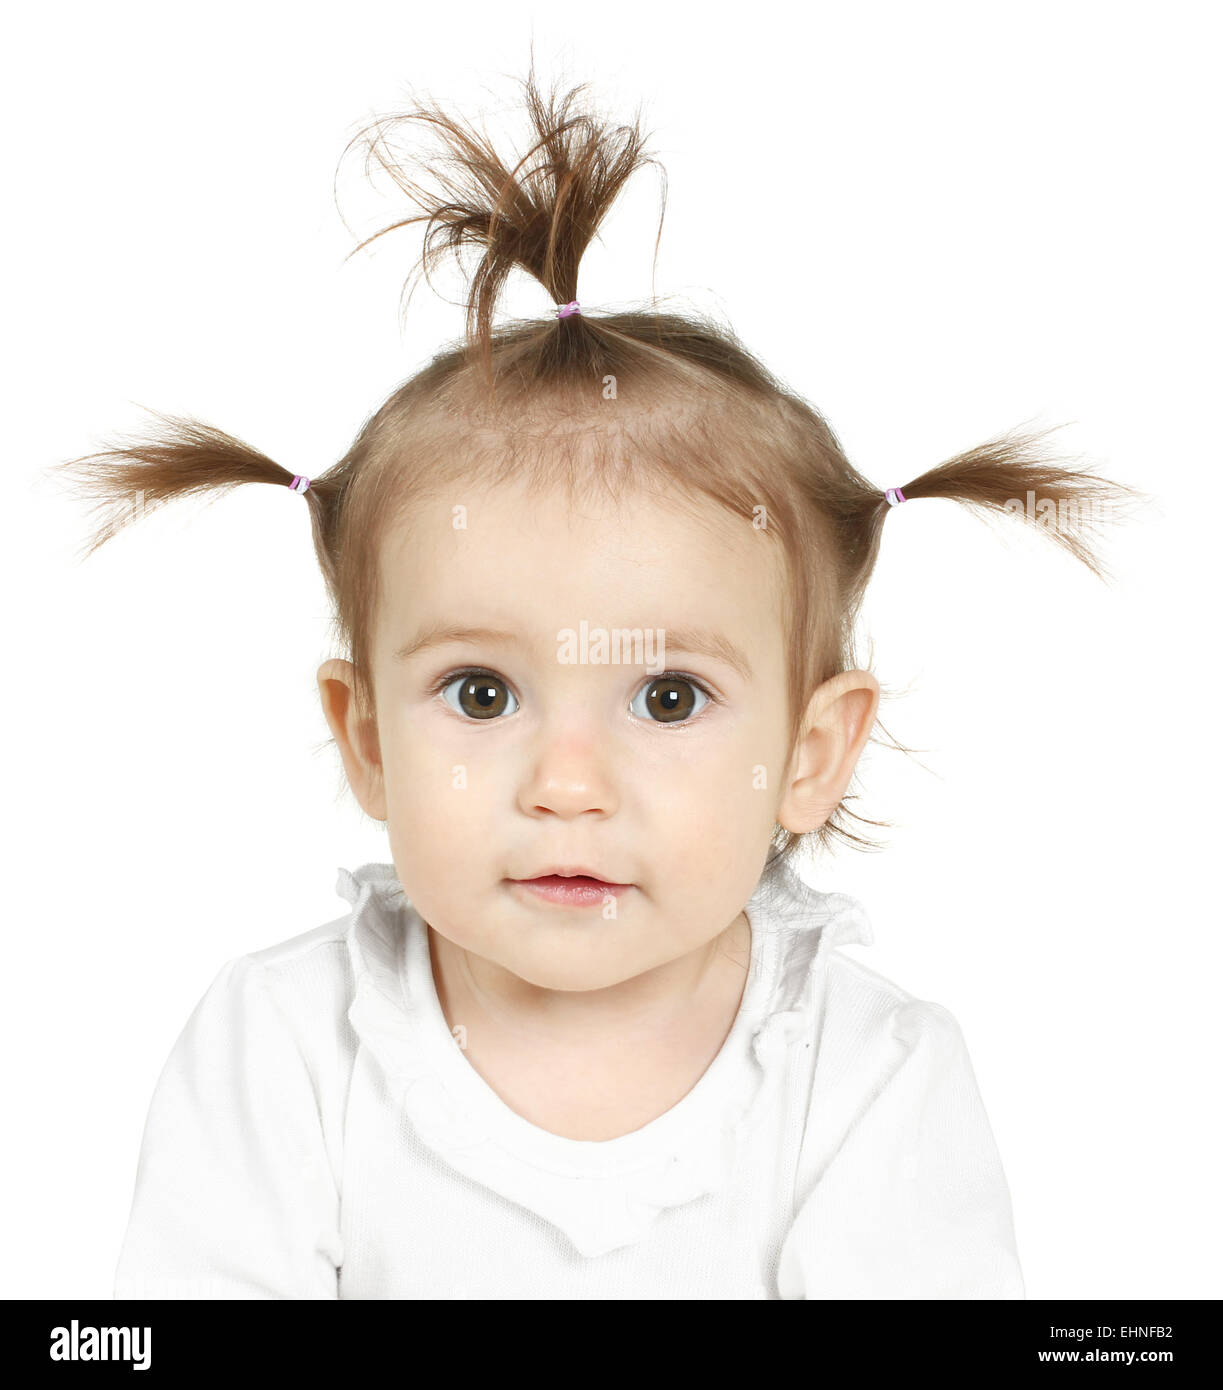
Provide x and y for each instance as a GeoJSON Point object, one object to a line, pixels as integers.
{"type": "Point", "coordinates": [584, 757]}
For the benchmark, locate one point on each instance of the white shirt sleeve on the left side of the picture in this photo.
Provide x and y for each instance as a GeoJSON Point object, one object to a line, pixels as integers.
{"type": "Point", "coordinates": [236, 1196]}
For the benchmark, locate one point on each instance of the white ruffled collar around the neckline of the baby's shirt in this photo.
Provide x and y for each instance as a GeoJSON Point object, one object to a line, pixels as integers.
{"type": "Point", "coordinates": [601, 1193]}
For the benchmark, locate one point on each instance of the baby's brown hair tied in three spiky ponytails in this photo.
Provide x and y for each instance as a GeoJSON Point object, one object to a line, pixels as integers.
{"type": "Point", "coordinates": [664, 401]}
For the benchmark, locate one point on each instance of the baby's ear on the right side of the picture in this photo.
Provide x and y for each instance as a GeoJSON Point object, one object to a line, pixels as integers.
{"type": "Point", "coordinates": [837, 725]}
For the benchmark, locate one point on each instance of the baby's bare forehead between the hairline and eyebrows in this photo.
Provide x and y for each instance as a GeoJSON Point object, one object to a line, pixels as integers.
{"type": "Point", "coordinates": [544, 562]}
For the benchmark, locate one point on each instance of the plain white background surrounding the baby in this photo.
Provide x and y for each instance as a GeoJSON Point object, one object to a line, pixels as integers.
{"type": "Point", "coordinates": [935, 222]}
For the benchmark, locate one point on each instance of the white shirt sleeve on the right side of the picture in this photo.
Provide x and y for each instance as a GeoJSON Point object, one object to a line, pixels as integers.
{"type": "Point", "coordinates": [914, 1202]}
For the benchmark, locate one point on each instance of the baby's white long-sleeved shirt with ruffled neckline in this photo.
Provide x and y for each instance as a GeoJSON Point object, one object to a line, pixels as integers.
{"type": "Point", "coordinates": [319, 1134]}
